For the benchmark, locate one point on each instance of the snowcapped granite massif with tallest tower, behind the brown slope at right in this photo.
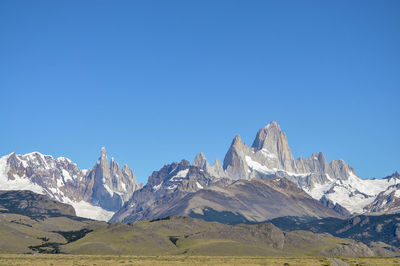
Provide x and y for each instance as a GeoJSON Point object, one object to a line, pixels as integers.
{"type": "Point", "coordinates": [270, 156]}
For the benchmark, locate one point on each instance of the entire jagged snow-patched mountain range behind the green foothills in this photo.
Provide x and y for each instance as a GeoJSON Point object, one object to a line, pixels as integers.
{"type": "Point", "coordinates": [253, 184]}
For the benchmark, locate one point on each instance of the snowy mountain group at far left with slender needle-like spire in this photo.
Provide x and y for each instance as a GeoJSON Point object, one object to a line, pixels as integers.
{"type": "Point", "coordinates": [95, 194]}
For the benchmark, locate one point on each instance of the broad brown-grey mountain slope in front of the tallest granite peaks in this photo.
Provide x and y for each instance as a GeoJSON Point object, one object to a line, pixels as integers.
{"type": "Point", "coordinates": [184, 189]}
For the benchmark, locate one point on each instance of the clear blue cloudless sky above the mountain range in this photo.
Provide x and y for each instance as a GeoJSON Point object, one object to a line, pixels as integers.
{"type": "Point", "coordinates": [158, 81]}
